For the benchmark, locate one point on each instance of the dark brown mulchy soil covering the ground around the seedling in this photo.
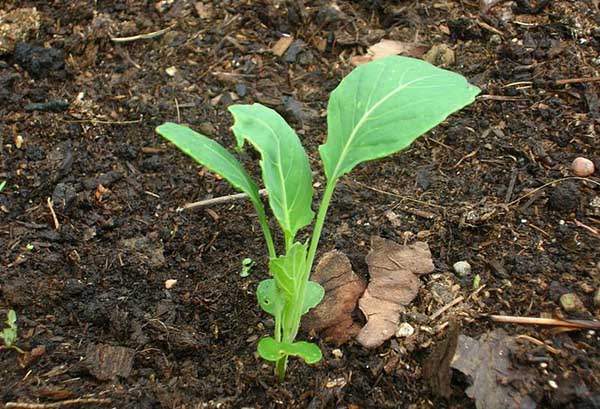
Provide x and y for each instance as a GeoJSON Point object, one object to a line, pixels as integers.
{"type": "Point", "coordinates": [77, 118]}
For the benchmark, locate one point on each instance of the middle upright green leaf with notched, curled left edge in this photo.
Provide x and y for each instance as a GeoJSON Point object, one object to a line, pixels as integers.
{"type": "Point", "coordinates": [285, 168]}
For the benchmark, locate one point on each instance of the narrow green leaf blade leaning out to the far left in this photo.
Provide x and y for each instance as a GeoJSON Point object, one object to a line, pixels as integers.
{"type": "Point", "coordinates": [213, 156]}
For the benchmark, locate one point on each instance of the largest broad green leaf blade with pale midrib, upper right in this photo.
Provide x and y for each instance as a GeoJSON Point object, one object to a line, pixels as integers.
{"type": "Point", "coordinates": [381, 107]}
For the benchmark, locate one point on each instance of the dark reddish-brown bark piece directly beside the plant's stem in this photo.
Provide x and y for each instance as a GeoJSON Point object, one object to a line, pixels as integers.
{"type": "Point", "coordinates": [333, 316]}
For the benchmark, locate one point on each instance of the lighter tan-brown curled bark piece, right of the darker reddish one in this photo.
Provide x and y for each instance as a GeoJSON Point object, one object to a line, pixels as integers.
{"type": "Point", "coordinates": [394, 271]}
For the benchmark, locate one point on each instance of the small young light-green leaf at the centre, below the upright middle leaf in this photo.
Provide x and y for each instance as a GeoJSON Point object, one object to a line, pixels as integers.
{"type": "Point", "coordinates": [287, 270]}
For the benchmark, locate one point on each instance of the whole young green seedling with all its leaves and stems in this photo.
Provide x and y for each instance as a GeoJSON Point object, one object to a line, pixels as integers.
{"type": "Point", "coordinates": [379, 109]}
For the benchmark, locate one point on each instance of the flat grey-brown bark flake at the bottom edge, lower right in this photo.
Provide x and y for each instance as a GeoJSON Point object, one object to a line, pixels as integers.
{"type": "Point", "coordinates": [495, 382]}
